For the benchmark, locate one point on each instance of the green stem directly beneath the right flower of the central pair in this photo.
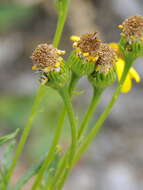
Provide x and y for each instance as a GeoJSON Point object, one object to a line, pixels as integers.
{"type": "Point", "coordinates": [97, 92]}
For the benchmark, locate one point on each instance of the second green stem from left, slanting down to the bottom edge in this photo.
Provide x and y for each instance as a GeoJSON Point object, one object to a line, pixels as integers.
{"type": "Point", "coordinates": [50, 155]}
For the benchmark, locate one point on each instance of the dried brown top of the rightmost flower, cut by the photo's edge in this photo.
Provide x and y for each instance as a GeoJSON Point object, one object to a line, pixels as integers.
{"type": "Point", "coordinates": [132, 29]}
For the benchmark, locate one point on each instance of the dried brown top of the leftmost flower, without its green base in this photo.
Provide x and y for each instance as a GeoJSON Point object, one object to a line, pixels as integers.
{"type": "Point", "coordinates": [47, 58]}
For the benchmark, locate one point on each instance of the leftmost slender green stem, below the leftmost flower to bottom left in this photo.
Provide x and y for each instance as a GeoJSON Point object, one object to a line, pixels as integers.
{"type": "Point", "coordinates": [27, 128]}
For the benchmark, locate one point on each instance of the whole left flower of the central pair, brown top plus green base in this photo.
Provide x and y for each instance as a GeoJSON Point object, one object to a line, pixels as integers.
{"type": "Point", "coordinates": [83, 58]}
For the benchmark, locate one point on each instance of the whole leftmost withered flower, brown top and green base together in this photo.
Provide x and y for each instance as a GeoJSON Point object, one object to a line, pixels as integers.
{"type": "Point", "coordinates": [50, 64]}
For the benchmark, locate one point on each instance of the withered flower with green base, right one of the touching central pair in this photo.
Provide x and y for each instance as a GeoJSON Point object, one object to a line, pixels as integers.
{"type": "Point", "coordinates": [104, 73]}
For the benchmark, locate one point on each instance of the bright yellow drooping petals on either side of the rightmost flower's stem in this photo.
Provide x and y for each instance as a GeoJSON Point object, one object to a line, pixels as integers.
{"type": "Point", "coordinates": [131, 75]}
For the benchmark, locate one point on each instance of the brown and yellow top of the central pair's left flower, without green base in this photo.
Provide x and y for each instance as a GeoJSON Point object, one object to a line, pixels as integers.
{"type": "Point", "coordinates": [87, 46]}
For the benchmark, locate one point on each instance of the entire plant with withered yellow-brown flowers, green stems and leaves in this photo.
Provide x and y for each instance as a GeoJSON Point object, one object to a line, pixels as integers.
{"type": "Point", "coordinates": [102, 64]}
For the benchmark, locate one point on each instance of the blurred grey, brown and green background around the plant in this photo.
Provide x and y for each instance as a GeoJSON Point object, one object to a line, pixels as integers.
{"type": "Point", "coordinates": [115, 159]}
